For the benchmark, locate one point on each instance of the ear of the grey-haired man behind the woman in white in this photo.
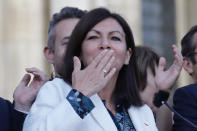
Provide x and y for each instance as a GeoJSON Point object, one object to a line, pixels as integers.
{"type": "Point", "coordinates": [49, 54]}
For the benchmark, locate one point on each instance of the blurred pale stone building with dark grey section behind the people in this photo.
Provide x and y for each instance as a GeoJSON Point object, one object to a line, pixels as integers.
{"type": "Point", "coordinates": [24, 25]}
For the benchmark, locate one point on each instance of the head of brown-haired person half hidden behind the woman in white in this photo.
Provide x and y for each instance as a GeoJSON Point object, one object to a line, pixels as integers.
{"type": "Point", "coordinates": [147, 61]}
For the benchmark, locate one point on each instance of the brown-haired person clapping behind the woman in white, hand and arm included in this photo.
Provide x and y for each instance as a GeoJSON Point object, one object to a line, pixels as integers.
{"type": "Point", "coordinates": [155, 82]}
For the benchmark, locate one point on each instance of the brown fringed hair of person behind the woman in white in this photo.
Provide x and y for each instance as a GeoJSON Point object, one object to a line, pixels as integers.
{"type": "Point", "coordinates": [146, 58]}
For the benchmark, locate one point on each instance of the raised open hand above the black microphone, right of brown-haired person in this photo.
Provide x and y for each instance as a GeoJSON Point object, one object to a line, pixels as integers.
{"type": "Point", "coordinates": [166, 78]}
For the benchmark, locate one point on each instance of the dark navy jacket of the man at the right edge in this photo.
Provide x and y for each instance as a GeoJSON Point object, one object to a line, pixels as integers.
{"type": "Point", "coordinates": [185, 103]}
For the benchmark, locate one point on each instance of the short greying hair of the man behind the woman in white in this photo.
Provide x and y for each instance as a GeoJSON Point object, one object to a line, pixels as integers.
{"type": "Point", "coordinates": [65, 13]}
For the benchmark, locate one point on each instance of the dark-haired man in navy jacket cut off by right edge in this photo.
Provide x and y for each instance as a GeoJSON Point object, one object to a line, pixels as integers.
{"type": "Point", "coordinates": [185, 98]}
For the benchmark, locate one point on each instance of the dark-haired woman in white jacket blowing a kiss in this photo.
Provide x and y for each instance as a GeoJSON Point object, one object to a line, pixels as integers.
{"type": "Point", "coordinates": [104, 94]}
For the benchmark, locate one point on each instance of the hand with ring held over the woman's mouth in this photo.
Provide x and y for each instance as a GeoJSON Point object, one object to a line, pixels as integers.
{"type": "Point", "coordinates": [95, 76]}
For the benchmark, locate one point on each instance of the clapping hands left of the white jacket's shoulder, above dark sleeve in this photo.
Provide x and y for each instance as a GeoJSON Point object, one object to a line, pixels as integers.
{"type": "Point", "coordinates": [26, 92]}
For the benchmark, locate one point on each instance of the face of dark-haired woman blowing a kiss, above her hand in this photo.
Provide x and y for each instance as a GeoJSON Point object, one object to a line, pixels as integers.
{"type": "Point", "coordinates": [107, 34]}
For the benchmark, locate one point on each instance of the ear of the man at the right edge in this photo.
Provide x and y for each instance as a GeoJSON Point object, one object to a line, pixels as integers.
{"type": "Point", "coordinates": [188, 66]}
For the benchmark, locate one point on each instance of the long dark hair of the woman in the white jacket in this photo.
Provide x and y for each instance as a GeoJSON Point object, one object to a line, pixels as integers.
{"type": "Point", "coordinates": [126, 92]}
